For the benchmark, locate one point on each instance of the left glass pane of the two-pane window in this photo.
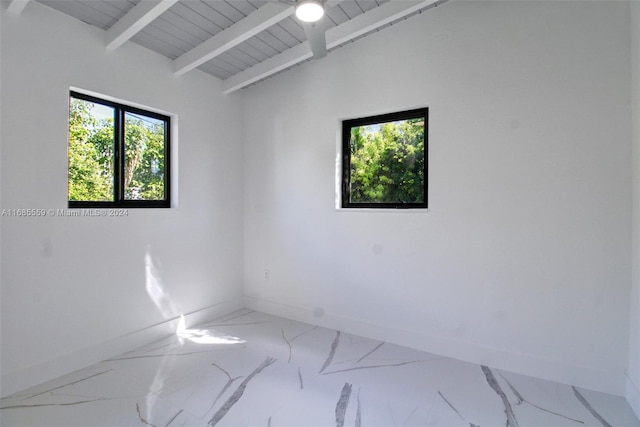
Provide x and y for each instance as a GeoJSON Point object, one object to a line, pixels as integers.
{"type": "Point", "coordinates": [91, 145]}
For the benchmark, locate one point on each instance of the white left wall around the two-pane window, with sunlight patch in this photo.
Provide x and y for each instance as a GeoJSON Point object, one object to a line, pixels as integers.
{"type": "Point", "coordinates": [74, 290]}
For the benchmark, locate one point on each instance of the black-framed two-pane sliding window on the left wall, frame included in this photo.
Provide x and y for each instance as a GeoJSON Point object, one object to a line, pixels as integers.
{"type": "Point", "coordinates": [118, 155]}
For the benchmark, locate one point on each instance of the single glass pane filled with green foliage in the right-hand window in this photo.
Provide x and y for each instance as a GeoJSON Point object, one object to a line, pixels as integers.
{"type": "Point", "coordinates": [388, 162]}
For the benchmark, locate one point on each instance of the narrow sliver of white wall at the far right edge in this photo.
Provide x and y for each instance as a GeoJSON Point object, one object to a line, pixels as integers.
{"type": "Point", "coordinates": [633, 378]}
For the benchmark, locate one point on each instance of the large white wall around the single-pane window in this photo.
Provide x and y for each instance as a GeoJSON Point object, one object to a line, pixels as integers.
{"type": "Point", "coordinates": [522, 261]}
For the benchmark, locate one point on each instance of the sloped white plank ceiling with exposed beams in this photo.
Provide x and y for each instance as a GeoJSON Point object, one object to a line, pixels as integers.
{"type": "Point", "coordinates": [238, 41]}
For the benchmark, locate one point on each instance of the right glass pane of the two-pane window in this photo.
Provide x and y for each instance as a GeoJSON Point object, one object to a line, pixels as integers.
{"type": "Point", "coordinates": [144, 175]}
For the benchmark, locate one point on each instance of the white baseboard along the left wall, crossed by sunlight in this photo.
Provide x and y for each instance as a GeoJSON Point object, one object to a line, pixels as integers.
{"type": "Point", "coordinates": [17, 381]}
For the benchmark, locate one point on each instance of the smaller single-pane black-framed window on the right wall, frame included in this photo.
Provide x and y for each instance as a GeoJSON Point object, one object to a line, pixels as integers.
{"type": "Point", "coordinates": [384, 161]}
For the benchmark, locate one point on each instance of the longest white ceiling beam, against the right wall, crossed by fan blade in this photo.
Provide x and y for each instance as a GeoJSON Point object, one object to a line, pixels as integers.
{"type": "Point", "coordinates": [349, 30]}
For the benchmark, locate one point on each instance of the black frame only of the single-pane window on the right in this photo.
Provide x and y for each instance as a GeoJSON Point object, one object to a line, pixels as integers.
{"type": "Point", "coordinates": [347, 125]}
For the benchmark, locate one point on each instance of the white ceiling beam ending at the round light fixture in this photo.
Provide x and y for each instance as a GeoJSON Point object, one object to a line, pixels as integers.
{"type": "Point", "coordinates": [254, 23]}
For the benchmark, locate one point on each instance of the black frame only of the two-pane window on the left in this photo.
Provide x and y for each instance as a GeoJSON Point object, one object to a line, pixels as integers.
{"type": "Point", "coordinates": [118, 185]}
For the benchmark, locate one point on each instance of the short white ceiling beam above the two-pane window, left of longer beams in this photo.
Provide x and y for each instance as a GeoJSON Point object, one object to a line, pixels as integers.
{"type": "Point", "coordinates": [135, 20]}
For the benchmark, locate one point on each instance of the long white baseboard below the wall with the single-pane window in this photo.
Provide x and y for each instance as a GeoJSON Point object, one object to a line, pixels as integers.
{"type": "Point", "coordinates": [585, 377]}
